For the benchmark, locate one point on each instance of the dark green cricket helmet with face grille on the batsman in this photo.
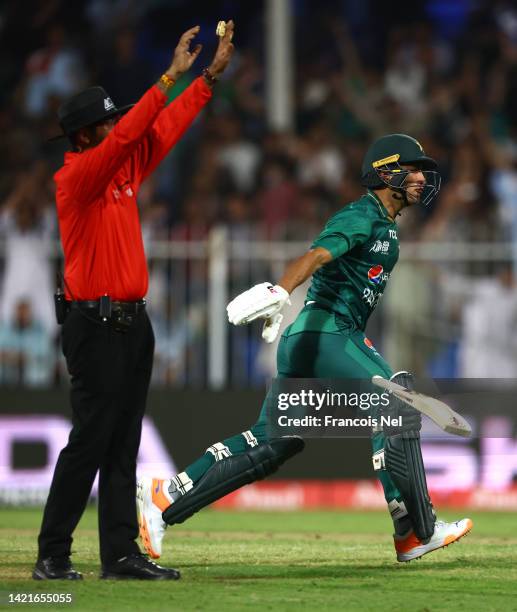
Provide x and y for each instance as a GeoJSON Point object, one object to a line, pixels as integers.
{"type": "Point", "coordinates": [382, 165]}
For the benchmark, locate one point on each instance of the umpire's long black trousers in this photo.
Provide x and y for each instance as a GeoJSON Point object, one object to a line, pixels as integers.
{"type": "Point", "coordinates": [110, 373]}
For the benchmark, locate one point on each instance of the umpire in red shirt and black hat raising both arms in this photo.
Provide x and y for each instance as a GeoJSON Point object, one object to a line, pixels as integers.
{"type": "Point", "coordinates": [108, 340]}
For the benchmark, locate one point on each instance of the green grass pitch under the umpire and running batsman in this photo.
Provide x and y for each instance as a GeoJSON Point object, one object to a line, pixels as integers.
{"type": "Point", "coordinates": [282, 561]}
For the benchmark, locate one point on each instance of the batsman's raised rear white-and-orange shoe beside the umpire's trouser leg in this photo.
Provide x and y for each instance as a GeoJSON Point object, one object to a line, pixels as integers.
{"type": "Point", "coordinates": [152, 498]}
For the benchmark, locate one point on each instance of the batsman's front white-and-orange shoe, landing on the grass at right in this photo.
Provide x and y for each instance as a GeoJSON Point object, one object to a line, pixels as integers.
{"type": "Point", "coordinates": [409, 547]}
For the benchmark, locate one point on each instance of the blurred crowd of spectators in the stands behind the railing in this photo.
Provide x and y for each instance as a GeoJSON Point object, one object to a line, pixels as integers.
{"type": "Point", "coordinates": [444, 72]}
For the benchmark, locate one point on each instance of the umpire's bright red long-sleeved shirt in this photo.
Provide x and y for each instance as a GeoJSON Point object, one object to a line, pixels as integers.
{"type": "Point", "coordinates": [96, 196]}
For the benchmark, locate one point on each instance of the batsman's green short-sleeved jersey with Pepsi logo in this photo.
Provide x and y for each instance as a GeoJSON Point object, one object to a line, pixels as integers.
{"type": "Point", "coordinates": [362, 239]}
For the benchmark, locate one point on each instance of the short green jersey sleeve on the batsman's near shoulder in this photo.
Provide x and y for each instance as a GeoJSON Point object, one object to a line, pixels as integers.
{"type": "Point", "coordinates": [344, 232]}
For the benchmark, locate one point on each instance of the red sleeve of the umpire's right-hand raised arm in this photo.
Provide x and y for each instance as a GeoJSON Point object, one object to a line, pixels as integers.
{"type": "Point", "coordinates": [170, 125]}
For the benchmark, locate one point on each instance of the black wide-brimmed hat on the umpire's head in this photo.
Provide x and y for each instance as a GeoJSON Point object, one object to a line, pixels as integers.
{"type": "Point", "coordinates": [93, 105]}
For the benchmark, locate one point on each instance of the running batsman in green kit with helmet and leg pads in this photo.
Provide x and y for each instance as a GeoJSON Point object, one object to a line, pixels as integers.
{"type": "Point", "coordinates": [350, 263]}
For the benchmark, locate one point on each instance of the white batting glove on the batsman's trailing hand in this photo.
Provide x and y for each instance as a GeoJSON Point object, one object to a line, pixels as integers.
{"type": "Point", "coordinates": [261, 301]}
